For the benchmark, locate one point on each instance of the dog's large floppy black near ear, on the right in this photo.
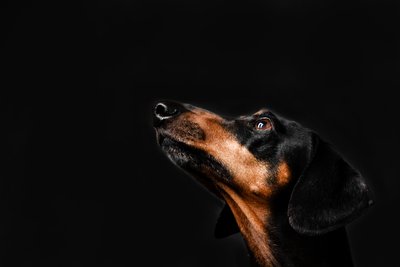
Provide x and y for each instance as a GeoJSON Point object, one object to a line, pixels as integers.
{"type": "Point", "coordinates": [329, 194]}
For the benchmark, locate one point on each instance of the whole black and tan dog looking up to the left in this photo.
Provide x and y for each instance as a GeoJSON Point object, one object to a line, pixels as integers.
{"type": "Point", "coordinates": [287, 191]}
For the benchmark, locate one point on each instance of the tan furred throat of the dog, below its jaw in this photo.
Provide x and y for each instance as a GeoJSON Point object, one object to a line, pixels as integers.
{"type": "Point", "coordinates": [251, 218]}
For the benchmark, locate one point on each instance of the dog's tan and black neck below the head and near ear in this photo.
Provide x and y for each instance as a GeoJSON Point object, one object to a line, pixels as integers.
{"type": "Point", "coordinates": [272, 242]}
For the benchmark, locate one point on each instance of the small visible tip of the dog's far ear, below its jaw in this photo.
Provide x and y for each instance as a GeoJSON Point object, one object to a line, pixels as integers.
{"type": "Point", "coordinates": [226, 224]}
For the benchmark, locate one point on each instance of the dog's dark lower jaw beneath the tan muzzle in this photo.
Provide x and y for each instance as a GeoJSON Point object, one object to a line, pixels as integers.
{"type": "Point", "coordinates": [193, 160]}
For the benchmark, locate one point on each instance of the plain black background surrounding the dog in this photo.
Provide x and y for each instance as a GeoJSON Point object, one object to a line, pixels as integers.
{"type": "Point", "coordinates": [84, 183]}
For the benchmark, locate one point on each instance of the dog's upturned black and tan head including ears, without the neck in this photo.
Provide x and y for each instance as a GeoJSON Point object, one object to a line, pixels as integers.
{"type": "Point", "coordinates": [258, 156]}
